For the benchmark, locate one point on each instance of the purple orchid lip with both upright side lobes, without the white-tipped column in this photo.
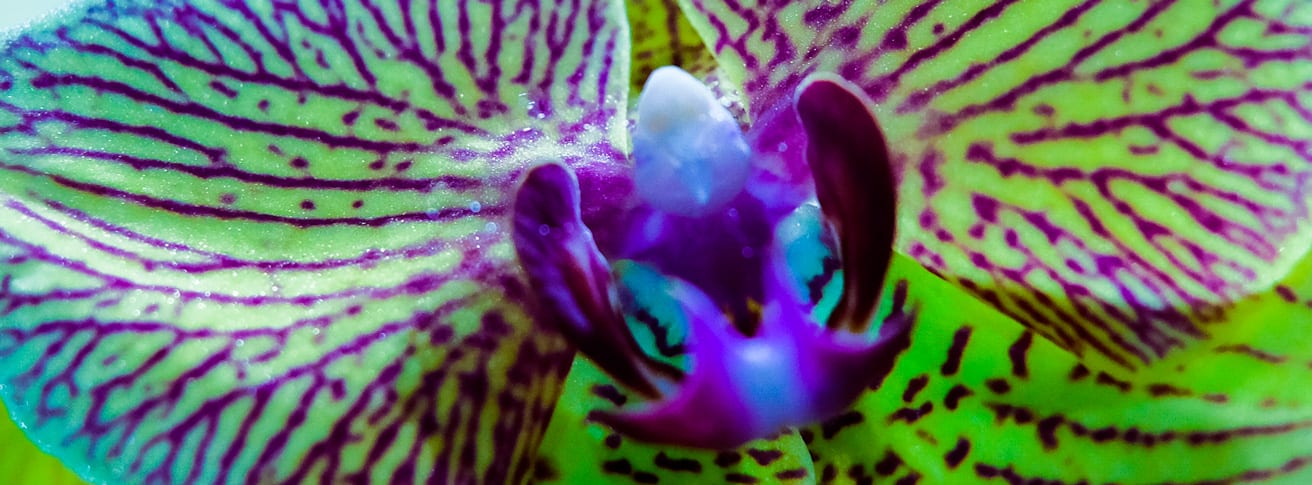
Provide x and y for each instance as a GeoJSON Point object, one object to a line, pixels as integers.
{"type": "Point", "coordinates": [790, 370]}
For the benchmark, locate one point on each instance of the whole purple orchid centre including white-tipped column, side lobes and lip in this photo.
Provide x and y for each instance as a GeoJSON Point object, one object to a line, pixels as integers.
{"type": "Point", "coordinates": [707, 251]}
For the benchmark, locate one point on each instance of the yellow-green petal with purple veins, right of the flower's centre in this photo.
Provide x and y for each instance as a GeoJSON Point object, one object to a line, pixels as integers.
{"type": "Point", "coordinates": [1115, 175]}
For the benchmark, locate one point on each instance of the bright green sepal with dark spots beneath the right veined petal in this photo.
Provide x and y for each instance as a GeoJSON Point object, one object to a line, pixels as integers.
{"type": "Point", "coordinates": [978, 399]}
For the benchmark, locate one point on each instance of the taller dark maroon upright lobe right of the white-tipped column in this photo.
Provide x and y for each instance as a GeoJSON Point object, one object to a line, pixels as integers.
{"type": "Point", "coordinates": [857, 191]}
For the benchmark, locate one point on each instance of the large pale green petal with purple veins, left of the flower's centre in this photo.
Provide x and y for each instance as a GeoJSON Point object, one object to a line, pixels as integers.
{"type": "Point", "coordinates": [256, 243]}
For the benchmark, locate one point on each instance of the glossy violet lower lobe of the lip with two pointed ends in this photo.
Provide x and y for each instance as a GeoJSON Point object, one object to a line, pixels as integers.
{"type": "Point", "coordinates": [793, 373]}
